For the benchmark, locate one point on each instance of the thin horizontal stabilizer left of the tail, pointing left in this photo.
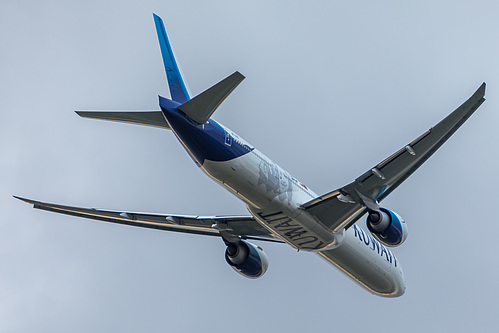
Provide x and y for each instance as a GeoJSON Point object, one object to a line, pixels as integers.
{"type": "Point", "coordinates": [148, 118]}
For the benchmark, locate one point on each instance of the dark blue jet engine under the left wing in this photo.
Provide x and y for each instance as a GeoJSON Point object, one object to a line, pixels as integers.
{"type": "Point", "coordinates": [247, 259]}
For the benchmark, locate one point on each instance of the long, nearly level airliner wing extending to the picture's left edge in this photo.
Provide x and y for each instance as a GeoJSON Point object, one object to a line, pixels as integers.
{"type": "Point", "coordinates": [244, 227]}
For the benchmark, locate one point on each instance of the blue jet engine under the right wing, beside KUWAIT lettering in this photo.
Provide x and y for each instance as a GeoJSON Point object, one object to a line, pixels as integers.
{"type": "Point", "coordinates": [387, 227]}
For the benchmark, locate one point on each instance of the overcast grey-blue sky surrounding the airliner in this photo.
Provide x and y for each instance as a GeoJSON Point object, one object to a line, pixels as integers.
{"type": "Point", "coordinates": [331, 89]}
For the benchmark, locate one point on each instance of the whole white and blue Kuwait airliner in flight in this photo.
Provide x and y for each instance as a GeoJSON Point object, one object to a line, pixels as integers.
{"type": "Point", "coordinates": [281, 208]}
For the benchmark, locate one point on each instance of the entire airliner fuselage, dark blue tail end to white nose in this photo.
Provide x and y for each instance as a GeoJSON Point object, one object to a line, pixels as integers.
{"type": "Point", "coordinates": [274, 198]}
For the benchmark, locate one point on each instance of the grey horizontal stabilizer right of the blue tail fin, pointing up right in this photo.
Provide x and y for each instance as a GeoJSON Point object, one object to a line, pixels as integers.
{"type": "Point", "coordinates": [201, 107]}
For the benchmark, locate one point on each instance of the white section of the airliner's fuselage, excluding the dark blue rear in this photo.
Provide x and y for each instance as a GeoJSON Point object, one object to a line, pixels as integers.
{"type": "Point", "coordinates": [274, 198]}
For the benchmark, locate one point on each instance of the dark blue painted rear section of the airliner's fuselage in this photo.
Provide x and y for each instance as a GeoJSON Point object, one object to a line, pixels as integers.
{"type": "Point", "coordinates": [202, 141]}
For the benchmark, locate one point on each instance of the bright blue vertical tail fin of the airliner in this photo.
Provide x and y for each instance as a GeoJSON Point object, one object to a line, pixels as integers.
{"type": "Point", "coordinates": [178, 90]}
